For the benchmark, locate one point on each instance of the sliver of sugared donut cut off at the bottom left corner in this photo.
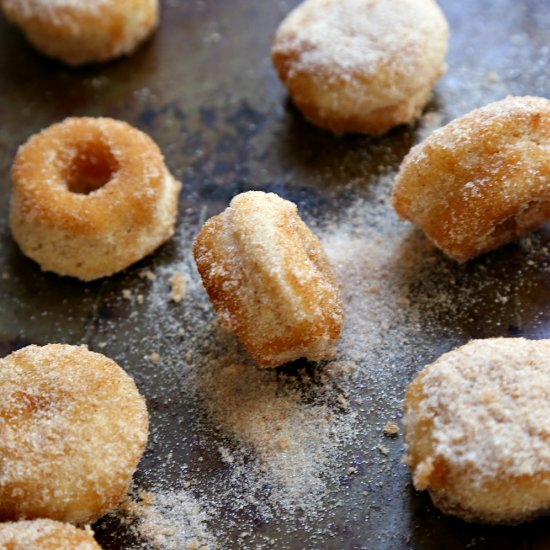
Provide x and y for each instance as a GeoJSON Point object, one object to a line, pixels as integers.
{"type": "Point", "coordinates": [45, 534]}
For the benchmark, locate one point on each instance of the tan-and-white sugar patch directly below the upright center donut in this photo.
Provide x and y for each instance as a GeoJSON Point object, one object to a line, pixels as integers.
{"type": "Point", "coordinates": [292, 432]}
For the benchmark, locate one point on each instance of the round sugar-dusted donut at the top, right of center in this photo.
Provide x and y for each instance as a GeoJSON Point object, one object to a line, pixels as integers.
{"type": "Point", "coordinates": [361, 65]}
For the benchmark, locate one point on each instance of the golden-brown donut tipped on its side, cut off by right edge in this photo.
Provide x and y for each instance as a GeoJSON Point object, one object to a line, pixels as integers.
{"type": "Point", "coordinates": [482, 180]}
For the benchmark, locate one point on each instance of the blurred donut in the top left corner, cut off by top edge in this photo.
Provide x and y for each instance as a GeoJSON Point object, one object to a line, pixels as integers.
{"type": "Point", "coordinates": [83, 31]}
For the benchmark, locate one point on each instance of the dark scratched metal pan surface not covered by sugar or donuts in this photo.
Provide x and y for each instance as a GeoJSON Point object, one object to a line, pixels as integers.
{"type": "Point", "coordinates": [204, 89]}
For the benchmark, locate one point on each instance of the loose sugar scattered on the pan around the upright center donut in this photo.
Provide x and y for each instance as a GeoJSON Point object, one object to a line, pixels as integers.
{"type": "Point", "coordinates": [280, 439]}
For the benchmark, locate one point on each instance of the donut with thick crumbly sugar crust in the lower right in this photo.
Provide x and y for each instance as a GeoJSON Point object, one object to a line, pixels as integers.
{"type": "Point", "coordinates": [477, 430]}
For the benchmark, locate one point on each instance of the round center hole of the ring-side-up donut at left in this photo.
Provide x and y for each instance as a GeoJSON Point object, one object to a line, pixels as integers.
{"type": "Point", "coordinates": [92, 167]}
